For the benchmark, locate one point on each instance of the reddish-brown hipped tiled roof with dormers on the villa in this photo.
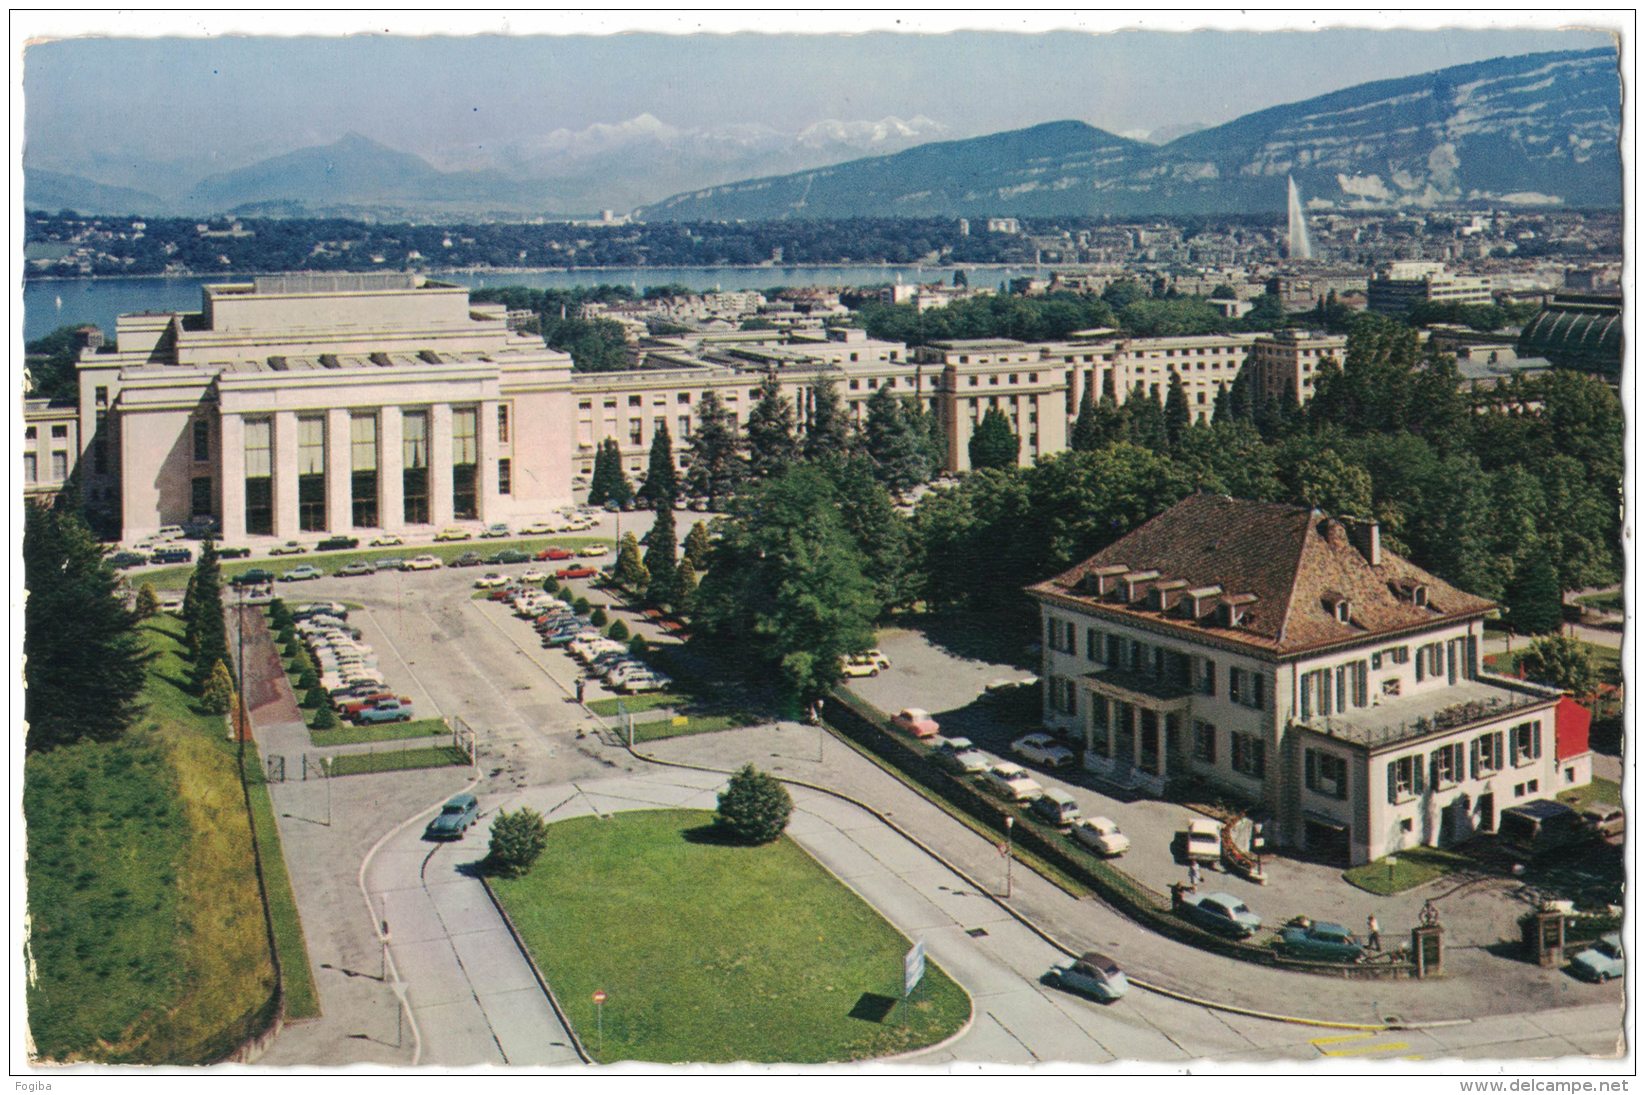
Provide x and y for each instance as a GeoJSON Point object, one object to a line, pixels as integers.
{"type": "Point", "coordinates": [1299, 565]}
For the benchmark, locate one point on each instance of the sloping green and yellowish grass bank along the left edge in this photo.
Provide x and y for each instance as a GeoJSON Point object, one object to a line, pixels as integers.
{"type": "Point", "coordinates": [147, 928]}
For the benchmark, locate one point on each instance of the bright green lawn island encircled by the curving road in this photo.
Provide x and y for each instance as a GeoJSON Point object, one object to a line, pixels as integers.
{"type": "Point", "coordinates": [713, 953]}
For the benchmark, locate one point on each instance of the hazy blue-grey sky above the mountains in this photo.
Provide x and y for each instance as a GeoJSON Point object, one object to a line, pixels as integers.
{"type": "Point", "coordinates": [234, 99]}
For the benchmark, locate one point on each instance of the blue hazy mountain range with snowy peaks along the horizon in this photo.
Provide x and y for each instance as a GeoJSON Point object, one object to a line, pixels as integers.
{"type": "Point", "coordinates": [1537, 129]}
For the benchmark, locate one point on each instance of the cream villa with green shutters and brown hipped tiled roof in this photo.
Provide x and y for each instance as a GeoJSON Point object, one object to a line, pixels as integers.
{"type": "Point", "coordinates": [1292, 660]}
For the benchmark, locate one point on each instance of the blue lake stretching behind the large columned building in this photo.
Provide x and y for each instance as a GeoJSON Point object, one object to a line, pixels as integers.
{"type": "Point", "coordinates": [52, 305]}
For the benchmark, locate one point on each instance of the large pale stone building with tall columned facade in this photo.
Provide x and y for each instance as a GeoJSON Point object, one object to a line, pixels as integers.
{"type": "Point", "coordinates": [325, 404]}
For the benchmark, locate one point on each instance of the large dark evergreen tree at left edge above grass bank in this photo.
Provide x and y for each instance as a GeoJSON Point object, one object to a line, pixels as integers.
{"type": "Point", "coordinates": [83, 655]}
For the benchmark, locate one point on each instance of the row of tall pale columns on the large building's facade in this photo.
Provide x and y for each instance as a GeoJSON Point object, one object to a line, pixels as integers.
{"type": "Point", "coordinates": [340, 469]}
